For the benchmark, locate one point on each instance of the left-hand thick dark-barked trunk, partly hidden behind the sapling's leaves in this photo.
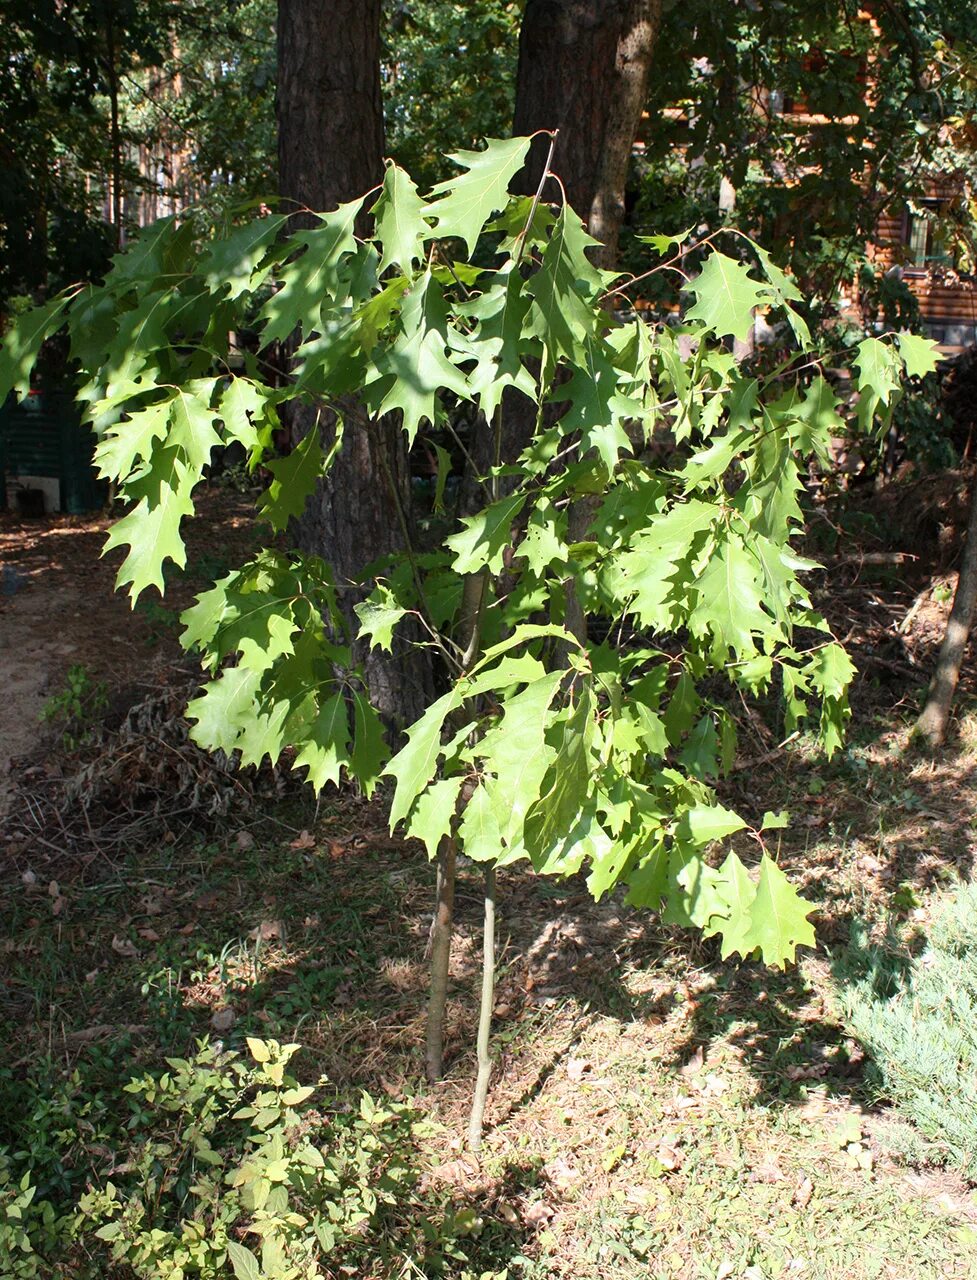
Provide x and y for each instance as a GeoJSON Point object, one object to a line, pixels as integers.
{"type": "Point", "coordinates": [331, 152]}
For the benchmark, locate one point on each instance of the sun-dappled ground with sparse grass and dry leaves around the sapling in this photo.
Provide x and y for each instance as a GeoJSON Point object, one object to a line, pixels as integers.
{"type": "Point", "coordinates": [654, 1112]}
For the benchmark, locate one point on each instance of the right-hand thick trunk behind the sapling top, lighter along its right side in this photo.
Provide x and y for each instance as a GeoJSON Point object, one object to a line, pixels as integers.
{"type": "Point", "coordinates": [583, 70]}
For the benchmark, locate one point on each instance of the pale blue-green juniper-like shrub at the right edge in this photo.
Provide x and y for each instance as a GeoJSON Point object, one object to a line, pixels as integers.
{"type": "Point", "coordinates": [915, 1011]}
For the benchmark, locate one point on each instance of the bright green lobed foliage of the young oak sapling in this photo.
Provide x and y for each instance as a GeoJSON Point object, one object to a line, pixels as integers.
{"type": "Point", "coordinates": [681, 470]}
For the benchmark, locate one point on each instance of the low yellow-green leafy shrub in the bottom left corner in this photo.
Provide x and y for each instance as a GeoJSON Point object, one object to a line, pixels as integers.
{"type": "Point", "coordinates": [223, 1167]}
